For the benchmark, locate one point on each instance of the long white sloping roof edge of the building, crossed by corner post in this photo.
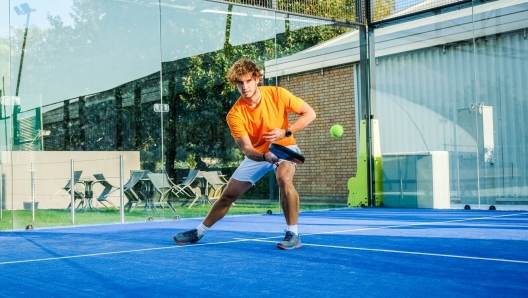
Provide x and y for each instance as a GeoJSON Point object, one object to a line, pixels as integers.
{"type": "Point", "coordinates": [443, 29]}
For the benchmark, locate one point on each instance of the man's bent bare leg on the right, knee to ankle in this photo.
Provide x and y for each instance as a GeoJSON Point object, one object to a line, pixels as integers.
{"type": "Point", "coordinates": [289, 196]}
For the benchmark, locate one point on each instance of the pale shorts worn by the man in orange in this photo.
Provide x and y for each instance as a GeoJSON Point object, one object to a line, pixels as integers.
{"type": "Point", "coordinates": [251, 171]}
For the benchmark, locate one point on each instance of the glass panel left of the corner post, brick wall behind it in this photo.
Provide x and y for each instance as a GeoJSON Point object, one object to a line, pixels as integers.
{"type": "Point", "coordinates": [315, 61]}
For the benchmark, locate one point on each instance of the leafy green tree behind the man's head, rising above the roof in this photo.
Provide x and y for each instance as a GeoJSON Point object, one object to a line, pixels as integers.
{"type": "Point", "coordinates": [207, 92]}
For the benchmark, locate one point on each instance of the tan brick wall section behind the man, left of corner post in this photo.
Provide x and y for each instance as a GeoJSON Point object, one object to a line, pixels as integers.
{"type": "Point", "coordinates": [330, 161]}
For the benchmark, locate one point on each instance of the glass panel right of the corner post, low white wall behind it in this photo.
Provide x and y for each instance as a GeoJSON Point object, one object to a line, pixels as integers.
{"type": "Point", "coordinates": [427, 111]}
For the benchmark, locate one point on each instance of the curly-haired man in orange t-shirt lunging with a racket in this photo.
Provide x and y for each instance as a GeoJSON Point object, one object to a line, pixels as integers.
{"type": "Point", "coordinates": [256, 120]}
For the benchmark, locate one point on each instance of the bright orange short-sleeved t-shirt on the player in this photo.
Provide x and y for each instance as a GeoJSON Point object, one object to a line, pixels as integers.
{"type": "Point", "coordinates": [271, 113]}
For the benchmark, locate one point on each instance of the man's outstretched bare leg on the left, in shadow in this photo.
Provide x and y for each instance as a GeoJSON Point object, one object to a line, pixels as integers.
{"type": "Point", "coordinates": [233, 191]}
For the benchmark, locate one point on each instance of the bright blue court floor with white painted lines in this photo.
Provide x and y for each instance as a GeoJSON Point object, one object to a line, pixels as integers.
{"type": "Point", "coordinates": [369, 252]}
